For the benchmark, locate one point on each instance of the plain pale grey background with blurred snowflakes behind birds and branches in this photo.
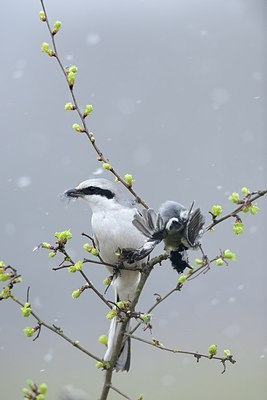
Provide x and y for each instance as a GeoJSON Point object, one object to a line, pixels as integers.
{"type": "Point", "coordinates": [179, 91]}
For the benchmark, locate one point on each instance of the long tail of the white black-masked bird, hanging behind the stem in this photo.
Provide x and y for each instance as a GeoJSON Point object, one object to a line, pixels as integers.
{"type": "Point", "coordinates": [123, 361]}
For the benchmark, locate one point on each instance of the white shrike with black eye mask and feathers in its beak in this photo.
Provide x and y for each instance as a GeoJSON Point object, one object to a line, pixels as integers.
{"type": "Point", "coordinates": [112, 216]}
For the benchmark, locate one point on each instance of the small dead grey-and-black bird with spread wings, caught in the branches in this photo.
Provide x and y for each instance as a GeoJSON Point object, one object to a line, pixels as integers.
{"type": "Point", "coordinates": [178, 227]}
